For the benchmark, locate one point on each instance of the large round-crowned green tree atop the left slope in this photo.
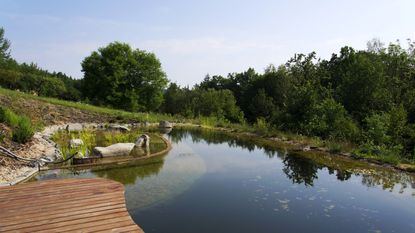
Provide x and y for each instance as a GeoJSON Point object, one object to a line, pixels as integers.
{"type": "Point", "coordinates": [118, 76]}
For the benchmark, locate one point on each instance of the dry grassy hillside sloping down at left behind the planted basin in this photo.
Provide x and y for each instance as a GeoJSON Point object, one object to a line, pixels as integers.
{"type": "Point", "coordinates": [49, 111]}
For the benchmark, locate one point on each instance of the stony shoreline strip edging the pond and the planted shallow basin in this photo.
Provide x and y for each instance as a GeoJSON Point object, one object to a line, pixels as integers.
{"type": "Point", "coordinates": [25, 173]}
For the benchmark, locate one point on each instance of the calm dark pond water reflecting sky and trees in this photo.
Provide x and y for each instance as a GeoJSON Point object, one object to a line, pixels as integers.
{"type": "Point", "coordinates": [214, 182]}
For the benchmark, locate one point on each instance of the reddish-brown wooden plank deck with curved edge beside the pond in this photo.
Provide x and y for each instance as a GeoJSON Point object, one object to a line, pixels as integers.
{"type": "Point", "coordinates": [69, 205]}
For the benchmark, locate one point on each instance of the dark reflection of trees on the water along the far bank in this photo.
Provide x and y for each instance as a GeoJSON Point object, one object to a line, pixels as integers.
{"type": "Point", "coordinates": [303, 167]}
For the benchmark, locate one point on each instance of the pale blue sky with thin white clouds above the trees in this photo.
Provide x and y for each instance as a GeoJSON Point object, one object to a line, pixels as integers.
{"type": "Point", "coordinates": [194, 38]}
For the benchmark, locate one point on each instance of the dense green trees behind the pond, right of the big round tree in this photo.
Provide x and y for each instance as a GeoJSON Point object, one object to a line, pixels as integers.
{"type": "Point", "coordinates": [365, 97]}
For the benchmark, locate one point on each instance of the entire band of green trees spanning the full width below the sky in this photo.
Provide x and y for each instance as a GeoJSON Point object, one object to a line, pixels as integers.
{"type": "Point", "coordinates": [366, 97]}
